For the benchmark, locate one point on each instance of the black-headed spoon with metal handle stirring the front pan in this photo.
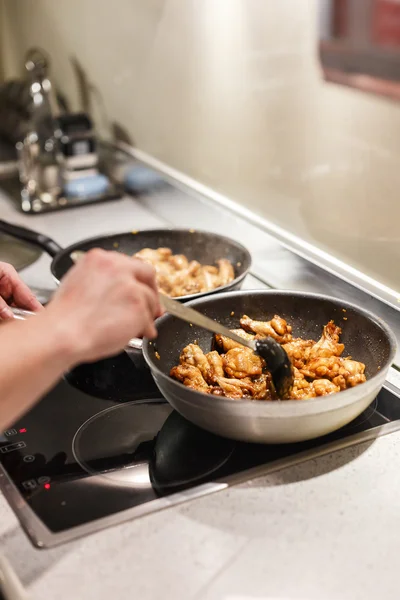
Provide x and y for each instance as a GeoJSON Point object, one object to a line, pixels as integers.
{"type": "Point", "coordinates": [277, 360]}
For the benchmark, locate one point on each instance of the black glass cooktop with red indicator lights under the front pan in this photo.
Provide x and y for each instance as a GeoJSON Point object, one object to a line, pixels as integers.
{"type": "Point", "coordinates": [102, 442]}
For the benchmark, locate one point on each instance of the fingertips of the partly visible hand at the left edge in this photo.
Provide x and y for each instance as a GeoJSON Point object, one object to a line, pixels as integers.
{"type": "Point", "coordinates": [13, 291]}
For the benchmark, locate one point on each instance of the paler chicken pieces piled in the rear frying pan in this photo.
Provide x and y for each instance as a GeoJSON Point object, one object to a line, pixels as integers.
{"type": "Point", "coordinates": [176, 276]}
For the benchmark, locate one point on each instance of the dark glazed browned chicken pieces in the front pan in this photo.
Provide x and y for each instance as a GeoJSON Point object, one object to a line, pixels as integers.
{"type": "Point", "coordinates": [234, 371]}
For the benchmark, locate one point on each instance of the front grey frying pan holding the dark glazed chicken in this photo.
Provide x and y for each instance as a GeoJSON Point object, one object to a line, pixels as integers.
{"type": "Point", "coordinates": [366, 337]}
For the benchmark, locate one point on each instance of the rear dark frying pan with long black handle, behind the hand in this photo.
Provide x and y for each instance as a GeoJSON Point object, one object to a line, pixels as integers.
{"type": "Point", "coordinates": [202, 246]}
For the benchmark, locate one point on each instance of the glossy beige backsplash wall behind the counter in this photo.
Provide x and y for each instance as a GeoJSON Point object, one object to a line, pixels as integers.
{"type": "Point", "coordinates": [230, 93]}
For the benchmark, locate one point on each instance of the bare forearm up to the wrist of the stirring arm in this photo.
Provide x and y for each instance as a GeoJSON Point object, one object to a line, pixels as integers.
{"type": "Point", "coordinates": [33, 355]}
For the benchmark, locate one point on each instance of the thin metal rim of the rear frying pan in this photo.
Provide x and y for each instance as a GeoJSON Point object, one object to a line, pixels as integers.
{"type": "Point", "coordinates": [188, 297]}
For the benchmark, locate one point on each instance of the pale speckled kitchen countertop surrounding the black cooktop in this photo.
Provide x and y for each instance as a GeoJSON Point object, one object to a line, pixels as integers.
{"type": "Point", "coordinates": [325, 529]}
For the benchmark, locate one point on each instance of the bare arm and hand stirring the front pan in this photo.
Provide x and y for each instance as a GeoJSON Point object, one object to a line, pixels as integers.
{"type": "Point", "coordinates": [103, 301]}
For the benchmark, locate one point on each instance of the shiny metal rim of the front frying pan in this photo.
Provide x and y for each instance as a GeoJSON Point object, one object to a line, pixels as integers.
{"type": "Point", "coordinates": [277, 407]}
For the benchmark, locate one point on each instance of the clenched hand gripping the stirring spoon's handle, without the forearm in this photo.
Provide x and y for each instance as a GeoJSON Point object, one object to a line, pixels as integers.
{"type": "Point", "coordinates": [103, 301]}
